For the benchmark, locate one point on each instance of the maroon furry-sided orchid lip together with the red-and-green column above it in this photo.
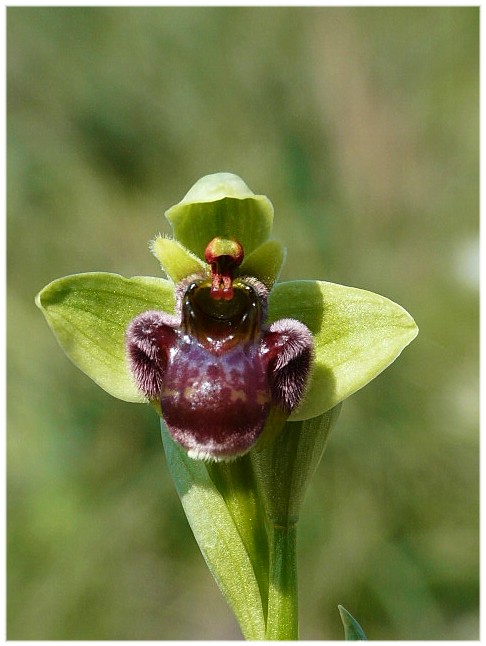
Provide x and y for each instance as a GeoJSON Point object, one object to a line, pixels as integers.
{"type": "Point", "coordinates": [215, 367]}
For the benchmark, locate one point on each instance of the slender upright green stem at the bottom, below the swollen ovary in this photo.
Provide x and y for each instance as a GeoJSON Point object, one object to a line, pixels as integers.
{"type": "Point", "coordinates": [282, 620]}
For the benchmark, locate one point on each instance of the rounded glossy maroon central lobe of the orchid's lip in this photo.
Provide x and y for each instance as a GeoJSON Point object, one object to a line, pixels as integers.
{"type": "Point", "coordinates": [222, 398]}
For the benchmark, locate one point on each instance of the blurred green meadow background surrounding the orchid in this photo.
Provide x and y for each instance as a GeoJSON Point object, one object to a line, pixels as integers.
{"type": "Point", "coordinates": [361, 125]}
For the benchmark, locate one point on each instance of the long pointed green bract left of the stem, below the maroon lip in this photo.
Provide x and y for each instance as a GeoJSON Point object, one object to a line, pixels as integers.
{"type": "Point", "coordinates": [218, 537]}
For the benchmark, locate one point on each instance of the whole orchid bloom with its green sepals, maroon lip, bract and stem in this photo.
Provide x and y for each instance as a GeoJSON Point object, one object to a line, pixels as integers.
{"type": "Point", "coordinates": [246, 373]}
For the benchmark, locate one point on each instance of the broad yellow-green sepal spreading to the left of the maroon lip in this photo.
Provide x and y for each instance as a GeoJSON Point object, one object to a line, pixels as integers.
{"type": "Point", "coordinates": [89, 314]}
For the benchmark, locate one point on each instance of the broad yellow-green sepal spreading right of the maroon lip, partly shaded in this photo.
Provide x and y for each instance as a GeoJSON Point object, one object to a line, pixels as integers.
{"type": "Point", "coordinates": [357, 334]}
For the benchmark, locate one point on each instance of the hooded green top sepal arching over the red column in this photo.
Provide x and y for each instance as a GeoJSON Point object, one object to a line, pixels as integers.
{"type": "Point", "coordinates": [221, 205]}
